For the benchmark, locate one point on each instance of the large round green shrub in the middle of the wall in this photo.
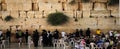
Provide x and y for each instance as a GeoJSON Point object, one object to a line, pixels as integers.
{"type": "Point", "coordinates": [57, 18]}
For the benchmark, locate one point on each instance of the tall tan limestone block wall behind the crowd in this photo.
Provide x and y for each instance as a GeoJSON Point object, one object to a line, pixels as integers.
{"type": "Point", "coordinates": [28, 14]}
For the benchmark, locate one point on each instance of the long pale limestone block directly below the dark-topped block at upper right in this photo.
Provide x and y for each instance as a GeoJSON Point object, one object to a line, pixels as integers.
{"type": "Point", "coordinates": [100, 13]}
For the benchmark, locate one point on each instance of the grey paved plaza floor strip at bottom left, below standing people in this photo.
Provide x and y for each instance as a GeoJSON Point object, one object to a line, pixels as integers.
{"type": "Point", "coordinates": [24, 46]}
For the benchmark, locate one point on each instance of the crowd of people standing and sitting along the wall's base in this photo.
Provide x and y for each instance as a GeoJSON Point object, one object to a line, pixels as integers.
{"type": "Point", "coordinates": [79, 39]}
